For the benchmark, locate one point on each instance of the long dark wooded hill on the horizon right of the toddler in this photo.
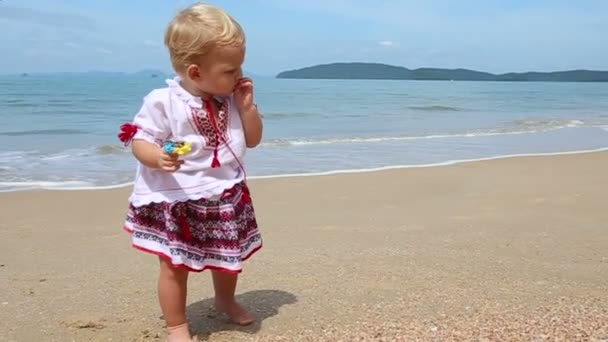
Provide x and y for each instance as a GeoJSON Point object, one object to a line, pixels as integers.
{"type": "Point", "coordinates": [377, 71]}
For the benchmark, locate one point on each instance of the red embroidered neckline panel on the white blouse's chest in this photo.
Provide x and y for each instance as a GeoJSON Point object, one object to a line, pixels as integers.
{"type": "Point", "coordinates": [206, 128]}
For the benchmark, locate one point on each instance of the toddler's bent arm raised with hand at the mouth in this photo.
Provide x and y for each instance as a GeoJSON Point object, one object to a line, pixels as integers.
{"type": "Point", "coordinates": [250, 117]}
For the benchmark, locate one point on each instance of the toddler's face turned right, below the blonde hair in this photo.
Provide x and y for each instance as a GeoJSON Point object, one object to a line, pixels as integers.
{"type": "Point", "coordinates": [220, 71]}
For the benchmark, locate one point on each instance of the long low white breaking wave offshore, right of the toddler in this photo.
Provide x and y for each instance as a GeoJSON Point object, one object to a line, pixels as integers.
{"type": "Point", "coordinates": [523, 127]}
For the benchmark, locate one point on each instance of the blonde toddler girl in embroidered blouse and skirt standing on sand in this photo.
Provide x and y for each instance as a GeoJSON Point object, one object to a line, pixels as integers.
{"type": "Point", "coordinates": [194, 211]}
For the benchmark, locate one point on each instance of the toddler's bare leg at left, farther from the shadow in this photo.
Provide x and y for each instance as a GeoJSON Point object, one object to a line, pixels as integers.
{"type": "Point", "coordinates": [172, 288]}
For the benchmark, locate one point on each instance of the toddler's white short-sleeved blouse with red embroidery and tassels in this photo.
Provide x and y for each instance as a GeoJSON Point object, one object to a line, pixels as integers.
{"type": "Point", "coordinates": [172, 113]}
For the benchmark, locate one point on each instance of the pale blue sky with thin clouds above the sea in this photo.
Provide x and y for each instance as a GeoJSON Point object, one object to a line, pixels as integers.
{"type": "Point", "coordinates": [487, 35]}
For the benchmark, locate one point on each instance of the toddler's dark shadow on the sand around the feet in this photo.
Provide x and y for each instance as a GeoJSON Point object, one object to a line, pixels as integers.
{"type": "Point", "coordinates": [263, 304]}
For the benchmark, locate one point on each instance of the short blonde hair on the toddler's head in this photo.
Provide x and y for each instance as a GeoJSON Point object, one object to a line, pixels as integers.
{"type": "Point", "coordinates": [198, 29]}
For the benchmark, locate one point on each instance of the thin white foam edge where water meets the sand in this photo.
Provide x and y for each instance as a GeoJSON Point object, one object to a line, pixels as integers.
{"type": "Point", "coordinates": [331, 172]}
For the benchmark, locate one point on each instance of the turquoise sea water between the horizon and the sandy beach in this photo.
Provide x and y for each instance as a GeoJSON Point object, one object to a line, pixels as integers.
{"type": "Point", "coordinates": [59, 131]}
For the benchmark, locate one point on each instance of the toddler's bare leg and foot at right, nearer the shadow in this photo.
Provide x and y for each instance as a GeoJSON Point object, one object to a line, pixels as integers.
{"type": "Point", "coordinates": [225, 287]}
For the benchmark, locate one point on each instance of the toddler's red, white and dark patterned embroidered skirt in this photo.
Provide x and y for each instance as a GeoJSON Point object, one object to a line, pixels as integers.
{"type": "Point", "coordinates": [198, 234]}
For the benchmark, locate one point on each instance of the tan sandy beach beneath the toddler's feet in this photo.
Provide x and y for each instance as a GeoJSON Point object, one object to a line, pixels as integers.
{"type": "Point", "coordinates": [510, 249]}
